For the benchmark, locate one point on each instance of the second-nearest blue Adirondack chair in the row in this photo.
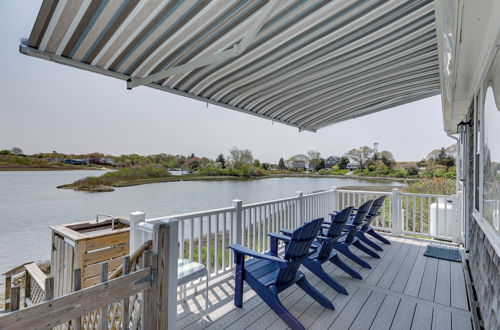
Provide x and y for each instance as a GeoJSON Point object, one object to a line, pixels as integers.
{"type": "Point", "coordinates": [324, 250]}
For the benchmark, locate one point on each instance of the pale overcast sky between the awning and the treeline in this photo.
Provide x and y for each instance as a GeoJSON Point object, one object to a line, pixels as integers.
{"type": "Point", "coordinates": [46, 106]}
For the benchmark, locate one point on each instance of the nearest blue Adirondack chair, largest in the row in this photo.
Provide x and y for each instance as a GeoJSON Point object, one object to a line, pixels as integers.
{"type": "Point", "coordinates": [268, 274]}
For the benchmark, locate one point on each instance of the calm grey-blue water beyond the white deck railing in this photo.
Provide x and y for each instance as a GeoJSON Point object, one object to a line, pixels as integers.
{"type": "Point", "coordinates": [30, 203]}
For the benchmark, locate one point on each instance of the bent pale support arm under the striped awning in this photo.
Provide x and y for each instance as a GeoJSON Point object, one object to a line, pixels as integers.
{"type": "Point", "coordinates": [211, 59]}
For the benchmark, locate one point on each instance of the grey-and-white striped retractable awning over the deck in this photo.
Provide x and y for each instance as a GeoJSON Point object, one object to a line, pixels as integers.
{"type": "Point", "coordinates": [305, 63]}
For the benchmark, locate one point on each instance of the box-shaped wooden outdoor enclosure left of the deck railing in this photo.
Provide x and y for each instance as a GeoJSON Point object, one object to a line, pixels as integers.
{"type": "Point", "coordinates": [85, 245]}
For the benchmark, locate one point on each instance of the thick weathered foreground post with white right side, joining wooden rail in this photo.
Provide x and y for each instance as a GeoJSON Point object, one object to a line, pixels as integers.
{"type": "Point", "coordinates": [165, 246]}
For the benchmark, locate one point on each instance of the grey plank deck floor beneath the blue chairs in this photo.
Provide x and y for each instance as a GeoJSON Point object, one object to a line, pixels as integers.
{"type": "Point", "coordinates": [403, 290]}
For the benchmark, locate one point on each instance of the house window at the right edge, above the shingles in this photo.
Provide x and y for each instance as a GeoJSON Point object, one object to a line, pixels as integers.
{"type": "Point", "coordinates": [491, 161]}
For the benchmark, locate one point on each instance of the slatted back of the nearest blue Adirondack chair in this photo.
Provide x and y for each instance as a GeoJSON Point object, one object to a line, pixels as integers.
{"type": "Point", "coordinates": [297, 249]}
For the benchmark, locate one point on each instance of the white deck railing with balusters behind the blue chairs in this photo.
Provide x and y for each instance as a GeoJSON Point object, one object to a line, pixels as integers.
{"type": "Point", "coordinates": [205, 236]}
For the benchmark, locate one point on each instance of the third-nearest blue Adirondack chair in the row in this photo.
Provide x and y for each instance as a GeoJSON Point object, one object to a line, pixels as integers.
{"type": "Point", "coordinates": [349, 238]}
